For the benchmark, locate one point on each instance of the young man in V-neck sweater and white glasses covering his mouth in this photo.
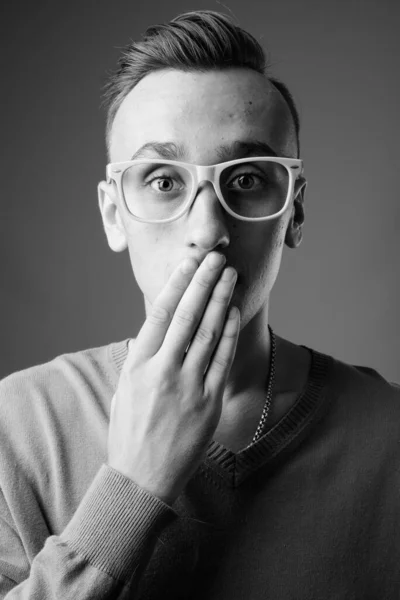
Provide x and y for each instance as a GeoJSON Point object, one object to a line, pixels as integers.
{"type": "Point", "coordinates": [208, 457]}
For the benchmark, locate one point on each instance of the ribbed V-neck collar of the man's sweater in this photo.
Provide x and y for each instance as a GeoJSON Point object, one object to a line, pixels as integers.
{"type": "Point", "coordinates": [292, 428]}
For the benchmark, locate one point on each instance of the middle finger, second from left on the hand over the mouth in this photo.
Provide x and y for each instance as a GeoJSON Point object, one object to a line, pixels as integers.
{"type": "Point", "coordinates": [190, 310]}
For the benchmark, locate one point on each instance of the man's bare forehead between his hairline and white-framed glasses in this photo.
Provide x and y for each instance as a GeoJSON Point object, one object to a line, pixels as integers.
{"type": "Point", "coordinates": [201, 111]}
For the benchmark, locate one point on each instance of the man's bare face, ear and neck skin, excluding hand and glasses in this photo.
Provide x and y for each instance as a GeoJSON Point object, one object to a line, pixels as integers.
{"type": "Point", "coordinates": [202, 111]}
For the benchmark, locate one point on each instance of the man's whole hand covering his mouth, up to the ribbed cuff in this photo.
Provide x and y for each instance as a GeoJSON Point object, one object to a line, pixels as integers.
{"type": "Point", "coordinates": [168, 403]}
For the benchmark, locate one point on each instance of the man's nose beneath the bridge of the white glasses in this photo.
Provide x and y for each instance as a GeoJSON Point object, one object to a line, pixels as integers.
{"type": "Point", "coordinates": [206, 221]}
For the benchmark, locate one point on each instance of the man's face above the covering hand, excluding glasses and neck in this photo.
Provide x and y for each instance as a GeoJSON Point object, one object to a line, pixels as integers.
{"type": "Point", "coordinates": [201, 112]}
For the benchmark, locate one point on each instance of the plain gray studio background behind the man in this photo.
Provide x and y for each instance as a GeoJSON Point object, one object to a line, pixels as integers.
{"type": "Point", "coordinates": [62, 289]}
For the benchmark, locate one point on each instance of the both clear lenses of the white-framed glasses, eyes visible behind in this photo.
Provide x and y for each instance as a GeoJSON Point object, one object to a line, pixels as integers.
{"type": "Point", "coordinates": [160, 191]}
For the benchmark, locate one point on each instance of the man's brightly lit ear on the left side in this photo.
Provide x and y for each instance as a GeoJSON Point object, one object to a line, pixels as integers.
{"type": "Point", "coordinates": [112, 221]}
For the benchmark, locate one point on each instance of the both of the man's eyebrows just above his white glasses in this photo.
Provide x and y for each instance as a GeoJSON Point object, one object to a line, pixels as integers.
{"type": "Point", "coordinates": [225, 152]}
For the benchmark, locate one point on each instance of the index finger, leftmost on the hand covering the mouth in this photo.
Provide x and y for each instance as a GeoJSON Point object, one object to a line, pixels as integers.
{"type": "Point", "coordinates": [152, 334]}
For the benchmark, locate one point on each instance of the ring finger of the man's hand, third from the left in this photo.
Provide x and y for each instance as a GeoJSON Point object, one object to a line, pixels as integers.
{"type": "Point", "coordinates": [209, 330]}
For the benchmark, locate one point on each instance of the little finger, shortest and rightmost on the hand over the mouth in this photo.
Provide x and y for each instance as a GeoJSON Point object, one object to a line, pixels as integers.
{"type": "Point", "coordinates": [222, 359]}
